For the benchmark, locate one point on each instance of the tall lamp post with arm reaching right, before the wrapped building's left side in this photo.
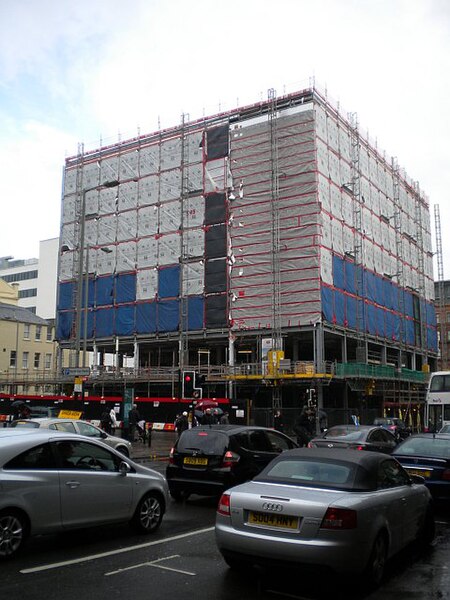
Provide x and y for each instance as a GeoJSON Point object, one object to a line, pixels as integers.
{"type": "Point", "coordinates": [81, 249]}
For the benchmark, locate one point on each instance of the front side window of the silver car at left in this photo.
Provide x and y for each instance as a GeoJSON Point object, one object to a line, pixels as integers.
{"type": "Point", "coordinates": [85, 456]}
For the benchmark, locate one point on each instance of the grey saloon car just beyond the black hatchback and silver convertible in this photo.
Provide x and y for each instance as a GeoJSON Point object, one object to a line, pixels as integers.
{"type": "Point", "coordinates": [356, 437]}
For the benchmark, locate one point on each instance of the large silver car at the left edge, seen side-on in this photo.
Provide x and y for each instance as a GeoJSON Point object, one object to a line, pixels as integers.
{"type": "Point", "coordinates": [54, 481]}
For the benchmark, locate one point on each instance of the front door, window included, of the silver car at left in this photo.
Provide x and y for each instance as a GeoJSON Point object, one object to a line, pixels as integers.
{"type": "Point", "coordinates": [92, 489]}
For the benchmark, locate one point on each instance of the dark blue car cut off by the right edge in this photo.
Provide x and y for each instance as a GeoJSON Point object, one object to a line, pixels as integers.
{"type": "Point", "coordinates": [428, 455]}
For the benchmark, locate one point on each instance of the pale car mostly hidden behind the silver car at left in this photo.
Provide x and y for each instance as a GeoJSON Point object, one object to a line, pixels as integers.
{"type": "Point", "coordinates": [77, 426]}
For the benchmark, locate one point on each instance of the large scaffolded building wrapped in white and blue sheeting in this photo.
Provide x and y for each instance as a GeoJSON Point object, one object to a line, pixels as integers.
{"type": "Point", "coordinates": [272, 248]}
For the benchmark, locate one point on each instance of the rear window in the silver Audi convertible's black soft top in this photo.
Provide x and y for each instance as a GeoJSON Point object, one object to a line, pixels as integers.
{"type": "Point", "coordinates": [315, 473]}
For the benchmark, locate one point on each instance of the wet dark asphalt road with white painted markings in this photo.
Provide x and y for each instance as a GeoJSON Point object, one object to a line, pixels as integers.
{"type": "Point", "coordinates": [181, 561]}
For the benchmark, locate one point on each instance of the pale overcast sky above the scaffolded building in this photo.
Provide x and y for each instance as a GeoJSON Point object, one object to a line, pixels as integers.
{"type": "Point", "coordinates": [95, 71]}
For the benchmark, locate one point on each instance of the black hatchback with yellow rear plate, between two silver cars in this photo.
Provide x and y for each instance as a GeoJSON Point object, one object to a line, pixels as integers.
{"type": "Point", "coordinates": [209, 459]}
